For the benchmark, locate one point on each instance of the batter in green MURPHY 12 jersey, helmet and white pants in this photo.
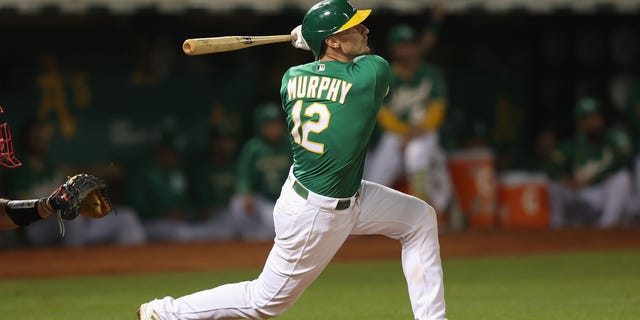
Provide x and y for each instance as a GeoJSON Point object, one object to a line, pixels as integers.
{"type": "Point", "coordinates": [331, 106]}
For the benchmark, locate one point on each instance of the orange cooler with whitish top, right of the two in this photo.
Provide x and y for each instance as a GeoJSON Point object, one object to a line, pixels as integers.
{"type": "Point", "coordinates": [523, 200]}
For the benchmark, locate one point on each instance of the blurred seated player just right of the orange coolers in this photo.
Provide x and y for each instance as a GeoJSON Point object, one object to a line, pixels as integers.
{"type": "Point", "coordinates": [591, 180]}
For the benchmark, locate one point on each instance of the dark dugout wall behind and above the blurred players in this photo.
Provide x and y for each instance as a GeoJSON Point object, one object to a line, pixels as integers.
{"type": "Point", "coordinates": [110, 85]}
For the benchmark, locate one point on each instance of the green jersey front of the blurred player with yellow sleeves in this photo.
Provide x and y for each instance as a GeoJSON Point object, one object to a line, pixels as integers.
{"type": "Point", "coordinates": [408, 98]}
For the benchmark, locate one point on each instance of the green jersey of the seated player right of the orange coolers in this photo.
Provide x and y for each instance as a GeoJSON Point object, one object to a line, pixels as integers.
{"type": "Point", "coordinates": [583, 161]}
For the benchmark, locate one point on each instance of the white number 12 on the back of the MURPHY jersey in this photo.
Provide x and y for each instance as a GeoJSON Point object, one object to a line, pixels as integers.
{"type": "Point", "coordinates": [300, 131]}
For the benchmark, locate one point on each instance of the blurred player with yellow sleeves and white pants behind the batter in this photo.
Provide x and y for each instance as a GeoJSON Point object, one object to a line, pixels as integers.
{"type": "Point", "coordinates": [412, 114]}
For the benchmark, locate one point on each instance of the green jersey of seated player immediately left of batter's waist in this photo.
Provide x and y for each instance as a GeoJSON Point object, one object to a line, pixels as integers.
{"type": "Point", "coordinates": [263, 167]}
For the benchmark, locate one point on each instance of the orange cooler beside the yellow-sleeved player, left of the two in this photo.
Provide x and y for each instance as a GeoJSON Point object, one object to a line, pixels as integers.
{"type": "Point", "coordinates": [473, 177]}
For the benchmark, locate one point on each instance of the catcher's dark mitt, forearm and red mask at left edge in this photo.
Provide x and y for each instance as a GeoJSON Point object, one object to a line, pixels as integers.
{"type": "Point", "coordinates": [80, 194]}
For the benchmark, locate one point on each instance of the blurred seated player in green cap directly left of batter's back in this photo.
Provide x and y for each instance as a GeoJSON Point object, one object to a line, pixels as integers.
{"type": "Point", "coordinates": [262, 168]}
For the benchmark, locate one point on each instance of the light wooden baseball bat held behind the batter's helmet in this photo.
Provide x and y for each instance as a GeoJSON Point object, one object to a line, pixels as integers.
{"type": "Point", "coordinates": [198, 46]}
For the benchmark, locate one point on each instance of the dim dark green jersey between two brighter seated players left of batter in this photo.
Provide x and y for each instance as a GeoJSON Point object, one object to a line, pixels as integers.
{"type": "Point", "coordinates": [214, 184]}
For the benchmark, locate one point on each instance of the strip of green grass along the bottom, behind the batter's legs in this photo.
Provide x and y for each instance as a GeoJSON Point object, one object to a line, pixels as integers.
{"type": "Point", "coordinates": [571, 286]}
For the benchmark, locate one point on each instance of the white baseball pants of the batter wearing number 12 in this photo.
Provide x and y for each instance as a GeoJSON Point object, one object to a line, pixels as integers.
{"type": "Point", "coordinates": [308, 234]}
